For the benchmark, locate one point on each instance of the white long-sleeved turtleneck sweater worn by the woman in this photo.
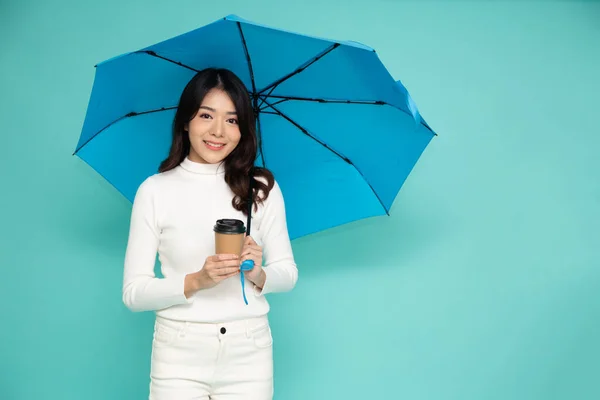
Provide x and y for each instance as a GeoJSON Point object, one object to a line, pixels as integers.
{"type": "Point", "coordinates": [173, 216]}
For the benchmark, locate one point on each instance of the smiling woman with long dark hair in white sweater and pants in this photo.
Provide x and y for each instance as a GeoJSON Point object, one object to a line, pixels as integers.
{"type": "Point", "coordinates": [208, 344]}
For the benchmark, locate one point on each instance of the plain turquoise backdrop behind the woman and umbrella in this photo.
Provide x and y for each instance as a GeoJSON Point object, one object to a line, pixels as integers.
{"type": "Point", "coordinates": [483, 284]}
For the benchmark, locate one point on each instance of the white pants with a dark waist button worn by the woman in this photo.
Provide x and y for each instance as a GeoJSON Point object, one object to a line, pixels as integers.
{"type": "Point", "coordinates": [228, 361]}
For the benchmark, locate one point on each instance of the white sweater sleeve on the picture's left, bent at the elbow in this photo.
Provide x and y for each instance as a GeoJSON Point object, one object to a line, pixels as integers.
{"type": "Point", "coordinates": [142, 290]}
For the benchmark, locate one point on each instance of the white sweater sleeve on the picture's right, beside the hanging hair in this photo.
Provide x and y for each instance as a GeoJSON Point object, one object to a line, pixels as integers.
{"type": "Point", "coordinates": [279, 264]}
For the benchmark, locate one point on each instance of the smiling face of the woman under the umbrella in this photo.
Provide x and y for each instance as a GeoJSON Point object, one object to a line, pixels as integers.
{"type": "Point", "coordinates": [214, 131]}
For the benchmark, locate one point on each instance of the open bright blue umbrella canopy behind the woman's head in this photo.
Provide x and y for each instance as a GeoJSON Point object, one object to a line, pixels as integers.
{"type": "Point", "coordinates": [339, 133]}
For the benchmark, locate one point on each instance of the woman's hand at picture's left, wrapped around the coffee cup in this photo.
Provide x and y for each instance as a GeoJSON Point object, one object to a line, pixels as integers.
{"type": "Point", "coordinates": [216, 269]}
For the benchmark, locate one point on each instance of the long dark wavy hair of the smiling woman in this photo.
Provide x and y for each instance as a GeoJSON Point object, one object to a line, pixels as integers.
{"type": "Point", "coordinates": [239, 165]}
